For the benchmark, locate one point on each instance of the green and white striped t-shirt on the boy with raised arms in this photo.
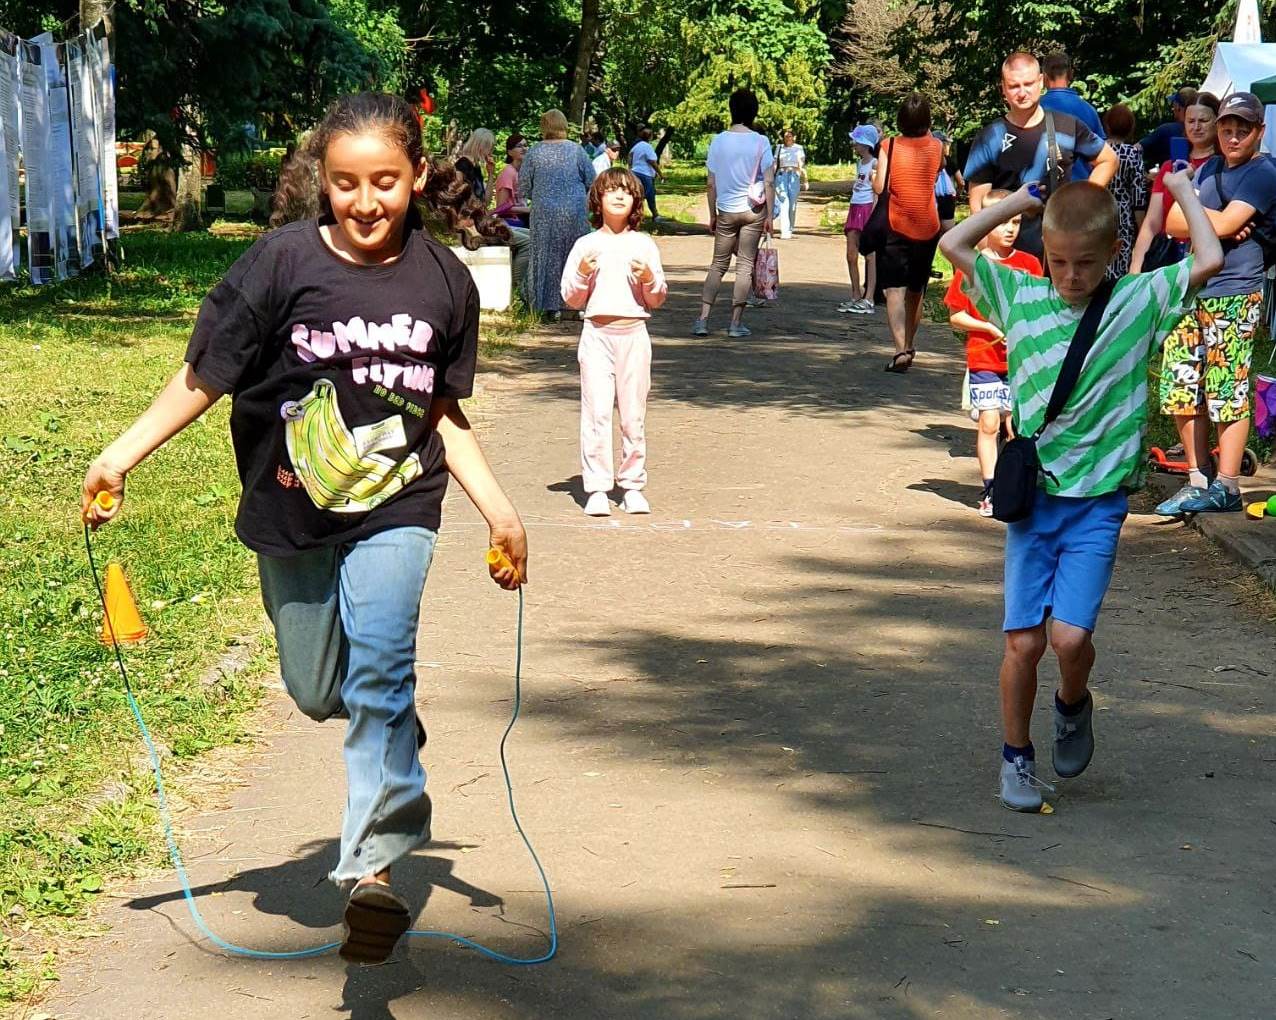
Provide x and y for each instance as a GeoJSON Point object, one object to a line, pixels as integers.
{"type": "Point", "coordinates": [1097, 444]}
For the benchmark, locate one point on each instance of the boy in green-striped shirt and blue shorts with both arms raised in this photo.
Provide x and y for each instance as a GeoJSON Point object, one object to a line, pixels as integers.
{"type": "Point", "coordinates": [1060, 560]}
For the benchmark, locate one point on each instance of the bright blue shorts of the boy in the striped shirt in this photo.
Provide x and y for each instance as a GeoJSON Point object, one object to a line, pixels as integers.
{"type": "Point", "coordinates": [1060, 560]}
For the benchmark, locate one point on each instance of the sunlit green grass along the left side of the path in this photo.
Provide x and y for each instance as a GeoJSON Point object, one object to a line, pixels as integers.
{"type": "Point", "coordinates": [78, 362]}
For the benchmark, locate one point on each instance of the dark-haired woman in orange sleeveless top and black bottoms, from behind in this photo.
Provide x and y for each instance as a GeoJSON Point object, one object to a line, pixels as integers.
{"type": "Point", "coordinates": [907, 170]}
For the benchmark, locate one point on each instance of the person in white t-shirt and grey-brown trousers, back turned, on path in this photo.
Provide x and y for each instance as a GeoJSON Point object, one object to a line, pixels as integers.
{"type": "Point", "coordinates": [742, 195]}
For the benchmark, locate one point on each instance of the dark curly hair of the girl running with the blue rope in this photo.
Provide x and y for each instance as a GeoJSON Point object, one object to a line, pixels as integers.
{"type": "Point", "coordinates": [449, 205]}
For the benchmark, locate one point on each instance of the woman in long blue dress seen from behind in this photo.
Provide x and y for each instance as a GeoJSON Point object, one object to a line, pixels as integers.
{"type": "Point", "coordinates": [556, 178]}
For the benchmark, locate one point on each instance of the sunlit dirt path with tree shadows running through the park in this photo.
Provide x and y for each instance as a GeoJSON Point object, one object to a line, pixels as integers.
{"type": "Point", "coordinates": [760, 746]}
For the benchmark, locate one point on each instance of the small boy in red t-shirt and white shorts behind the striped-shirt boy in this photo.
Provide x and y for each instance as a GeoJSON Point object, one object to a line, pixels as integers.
{"type": "Point", "coordinates": [986, 352]}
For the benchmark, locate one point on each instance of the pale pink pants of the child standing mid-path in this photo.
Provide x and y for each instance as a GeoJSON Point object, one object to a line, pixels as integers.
{"type": "Point", "coordinates": [616, 372]}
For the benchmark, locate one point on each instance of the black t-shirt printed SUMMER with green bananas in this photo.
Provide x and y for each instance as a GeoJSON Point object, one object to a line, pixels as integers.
{"type": "Point", "coordinates": [332, 368]}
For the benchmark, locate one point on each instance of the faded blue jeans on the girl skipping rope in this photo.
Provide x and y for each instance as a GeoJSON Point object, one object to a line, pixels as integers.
{"type": "Point", "coordinates": [345, 620]}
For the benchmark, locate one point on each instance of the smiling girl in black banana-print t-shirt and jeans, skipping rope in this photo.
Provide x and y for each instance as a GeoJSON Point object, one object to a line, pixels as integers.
{"type": "Point", "coordinates": [346, 344]}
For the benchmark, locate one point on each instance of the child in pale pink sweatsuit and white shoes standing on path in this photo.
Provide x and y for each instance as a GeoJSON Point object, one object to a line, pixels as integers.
{"type": "Point", "coordinates": [616, 276]}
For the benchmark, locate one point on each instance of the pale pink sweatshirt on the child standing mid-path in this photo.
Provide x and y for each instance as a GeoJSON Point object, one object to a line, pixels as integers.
{"type": "Point", "coordinates": [613, 290]}
